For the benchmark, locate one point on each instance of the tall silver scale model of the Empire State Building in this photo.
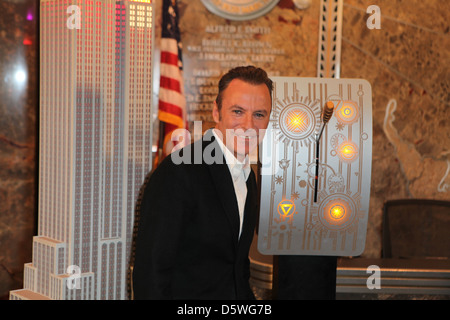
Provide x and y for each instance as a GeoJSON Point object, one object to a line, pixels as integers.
{"type": "Point", "coordinates": [95, 145]}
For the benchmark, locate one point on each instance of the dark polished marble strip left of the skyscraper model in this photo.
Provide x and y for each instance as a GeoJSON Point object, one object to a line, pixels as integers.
{"type": "Point", "coordinates": [18, 127]}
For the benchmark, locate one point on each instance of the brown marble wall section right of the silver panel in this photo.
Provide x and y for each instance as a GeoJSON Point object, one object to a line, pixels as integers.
{"type": "Point", "coordinates": [407, 62]}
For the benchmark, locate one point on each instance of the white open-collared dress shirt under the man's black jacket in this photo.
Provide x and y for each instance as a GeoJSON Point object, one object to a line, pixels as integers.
{"type": "Point", "coordinates": [239, 172]}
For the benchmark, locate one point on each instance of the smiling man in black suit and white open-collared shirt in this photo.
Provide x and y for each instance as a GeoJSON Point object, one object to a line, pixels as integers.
{"type": "Point", "coordinates": [197, 218]}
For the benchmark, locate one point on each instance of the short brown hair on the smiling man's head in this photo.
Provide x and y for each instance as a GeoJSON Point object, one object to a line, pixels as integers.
{"type": "Point", "coordinates": [249, 74]}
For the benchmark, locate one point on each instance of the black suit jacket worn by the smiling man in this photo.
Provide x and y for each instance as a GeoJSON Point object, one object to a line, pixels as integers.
{"type": "Point", "coordinates": [188, 244]}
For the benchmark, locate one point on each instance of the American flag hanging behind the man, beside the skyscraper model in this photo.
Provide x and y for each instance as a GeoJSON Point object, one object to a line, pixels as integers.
{"type": "Point", "coordinates": [172, 103]}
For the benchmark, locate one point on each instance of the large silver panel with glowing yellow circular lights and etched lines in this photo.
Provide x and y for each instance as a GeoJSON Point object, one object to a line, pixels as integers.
{"type": "Point", "coordinates": [291, 223]}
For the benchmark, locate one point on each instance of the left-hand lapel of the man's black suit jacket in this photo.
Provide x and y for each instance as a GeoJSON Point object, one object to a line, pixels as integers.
{"type": "Point", "coordinates": [224, 185]}
